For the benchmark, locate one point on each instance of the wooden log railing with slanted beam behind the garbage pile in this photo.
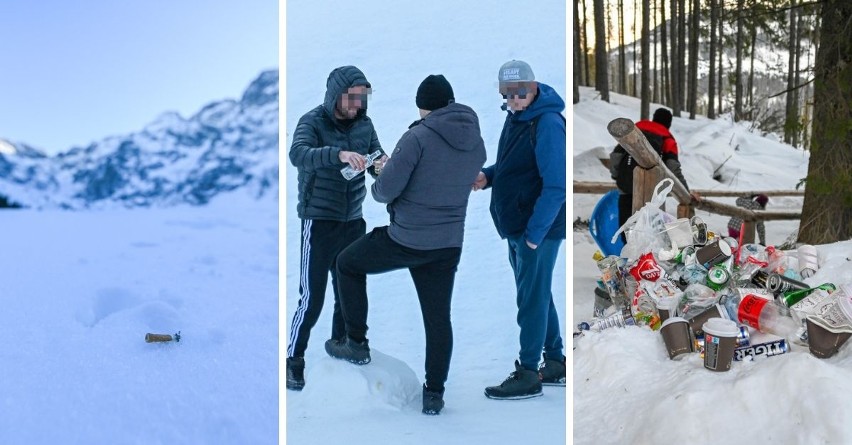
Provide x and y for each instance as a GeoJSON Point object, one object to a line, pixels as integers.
{"type": "Point", "coordinates": [651, 170]}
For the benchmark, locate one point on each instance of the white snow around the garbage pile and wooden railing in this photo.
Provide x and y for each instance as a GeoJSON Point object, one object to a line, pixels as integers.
{"type": "Point", "coordinates": [625, 388]}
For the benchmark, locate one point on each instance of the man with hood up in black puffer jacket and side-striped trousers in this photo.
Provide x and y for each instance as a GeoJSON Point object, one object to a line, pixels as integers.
{"type": "Point", "coordinates": [328, 138]}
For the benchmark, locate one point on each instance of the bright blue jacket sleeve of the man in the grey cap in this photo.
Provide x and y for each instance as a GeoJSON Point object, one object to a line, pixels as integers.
{"type": "Point", "coordinates": [550, 157]}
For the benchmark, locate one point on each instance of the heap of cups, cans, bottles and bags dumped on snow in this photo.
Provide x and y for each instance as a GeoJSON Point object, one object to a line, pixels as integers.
{"type": "Point", "coordinates": [714, 295]}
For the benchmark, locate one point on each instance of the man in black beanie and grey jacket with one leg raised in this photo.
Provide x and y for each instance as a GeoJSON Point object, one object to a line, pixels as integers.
{"type": "Point", "coordinates": [426, 184]}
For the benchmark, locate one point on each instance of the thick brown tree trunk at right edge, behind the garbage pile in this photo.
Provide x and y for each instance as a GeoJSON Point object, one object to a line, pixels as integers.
{"type": "Point", "coordinates": [827, 209]}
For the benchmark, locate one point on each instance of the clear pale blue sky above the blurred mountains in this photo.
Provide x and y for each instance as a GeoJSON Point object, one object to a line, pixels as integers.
{"type": "Point", "coordinates": [74, 72]}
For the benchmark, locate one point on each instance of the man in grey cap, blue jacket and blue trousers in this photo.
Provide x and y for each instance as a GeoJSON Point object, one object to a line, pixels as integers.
{"type": "Point", "coordinates": [528, 207]}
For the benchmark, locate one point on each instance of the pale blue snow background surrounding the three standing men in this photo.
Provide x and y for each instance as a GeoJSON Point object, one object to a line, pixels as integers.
{"type": "Point", "coordinates": [397, 47]}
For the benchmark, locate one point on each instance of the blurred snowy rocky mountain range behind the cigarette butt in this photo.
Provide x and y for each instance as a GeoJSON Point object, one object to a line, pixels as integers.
{"type": "Point", "coordinates": [227, 145]}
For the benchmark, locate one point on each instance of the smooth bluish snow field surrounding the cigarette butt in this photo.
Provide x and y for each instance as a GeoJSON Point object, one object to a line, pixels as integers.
{"type": "Point", "coordinates": [80, 290]}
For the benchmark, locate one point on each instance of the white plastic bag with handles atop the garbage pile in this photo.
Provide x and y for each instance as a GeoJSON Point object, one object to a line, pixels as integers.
{"type": "Point", "coordinates": [646, 227]}
